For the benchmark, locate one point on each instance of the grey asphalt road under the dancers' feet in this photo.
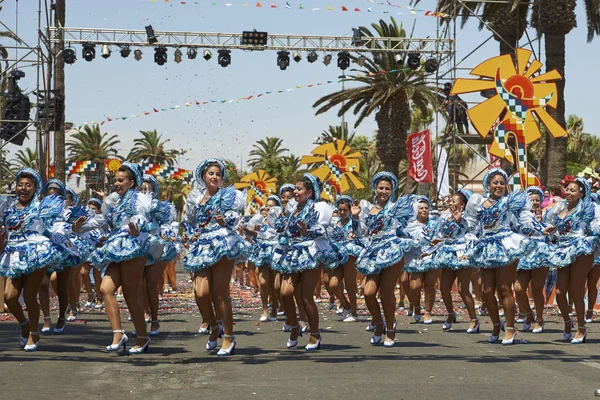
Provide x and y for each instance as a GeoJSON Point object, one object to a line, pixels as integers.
{"type": "Point", "coordinates": [426, 363]}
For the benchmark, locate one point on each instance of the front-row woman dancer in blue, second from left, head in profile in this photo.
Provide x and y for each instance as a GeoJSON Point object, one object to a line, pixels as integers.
{"type": "Point", "coordinates": [122, 256]}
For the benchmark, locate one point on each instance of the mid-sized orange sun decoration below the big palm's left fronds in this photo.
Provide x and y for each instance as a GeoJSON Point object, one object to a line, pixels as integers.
{"type": "Point", "coordinates": [336, 165]}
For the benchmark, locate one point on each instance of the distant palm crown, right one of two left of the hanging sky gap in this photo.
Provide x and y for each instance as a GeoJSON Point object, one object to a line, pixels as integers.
{"type": "Point", "coordinates": [150, 149]}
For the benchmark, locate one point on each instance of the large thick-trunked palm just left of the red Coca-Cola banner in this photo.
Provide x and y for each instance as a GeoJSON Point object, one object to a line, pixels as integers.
{"type": "Point", "coordinates": [388, 95]}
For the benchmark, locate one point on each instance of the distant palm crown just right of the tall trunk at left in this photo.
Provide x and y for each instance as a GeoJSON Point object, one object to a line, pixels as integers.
{"type": "Point", "coordinates": [90, 144]}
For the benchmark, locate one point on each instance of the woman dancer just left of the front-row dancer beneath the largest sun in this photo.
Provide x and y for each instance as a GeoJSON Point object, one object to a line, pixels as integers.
{"type": "Point", "coordinates": [447, 251]}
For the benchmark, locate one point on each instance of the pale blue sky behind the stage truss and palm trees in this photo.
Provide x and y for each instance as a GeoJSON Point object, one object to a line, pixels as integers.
{"type": "Point", "coordinates": [121, 87]}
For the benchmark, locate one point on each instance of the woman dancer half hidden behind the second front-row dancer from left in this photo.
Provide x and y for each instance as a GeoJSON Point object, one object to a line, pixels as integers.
{"type": "Point", "coordinates": [161, 216]}
